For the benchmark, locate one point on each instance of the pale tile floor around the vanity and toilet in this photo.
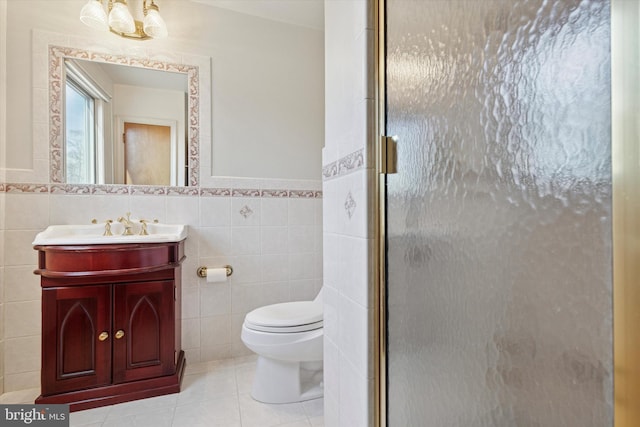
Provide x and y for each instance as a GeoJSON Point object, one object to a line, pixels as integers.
{"type": "Point", "coordinates": [213, 394]}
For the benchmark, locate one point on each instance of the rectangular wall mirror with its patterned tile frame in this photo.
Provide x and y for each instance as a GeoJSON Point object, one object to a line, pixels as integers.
{"type": "Point", "coordinates": [128, 99]}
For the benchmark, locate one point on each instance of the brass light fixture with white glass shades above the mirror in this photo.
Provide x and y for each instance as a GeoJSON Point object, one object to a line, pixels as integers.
{"type": "Point", "coordinates": [121, 22]}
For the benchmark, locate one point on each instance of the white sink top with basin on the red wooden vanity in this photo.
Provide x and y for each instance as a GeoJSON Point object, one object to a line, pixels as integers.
{"type": "Point", "coordinates": [93, 234]}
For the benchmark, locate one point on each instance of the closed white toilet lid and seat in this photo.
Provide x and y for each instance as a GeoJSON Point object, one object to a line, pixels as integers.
{"type": "Point", "coordinates": [296, 316]}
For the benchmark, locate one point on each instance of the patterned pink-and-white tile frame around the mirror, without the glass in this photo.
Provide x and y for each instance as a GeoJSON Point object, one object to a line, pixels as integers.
{"type": "Point", "coordinates": [57, 55]}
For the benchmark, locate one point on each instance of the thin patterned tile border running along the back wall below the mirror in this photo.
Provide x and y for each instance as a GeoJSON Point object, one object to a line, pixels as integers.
{"type": "Point", "coordinates": [137, 190]}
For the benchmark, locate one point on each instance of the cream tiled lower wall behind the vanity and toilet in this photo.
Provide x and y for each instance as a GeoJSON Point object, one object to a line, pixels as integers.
{"type": "Point", "coordinates": [270, 232]}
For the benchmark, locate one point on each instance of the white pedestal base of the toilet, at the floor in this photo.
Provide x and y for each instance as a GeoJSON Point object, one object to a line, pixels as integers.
{"type": "Point", "coordinates": [278, 381]}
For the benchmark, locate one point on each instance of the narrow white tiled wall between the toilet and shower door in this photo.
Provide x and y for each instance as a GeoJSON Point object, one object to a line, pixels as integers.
{"type": "Point", "coordinates": [348, 213]}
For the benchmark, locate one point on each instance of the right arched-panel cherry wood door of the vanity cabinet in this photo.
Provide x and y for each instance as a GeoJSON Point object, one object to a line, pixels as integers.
{"type": "Point", "coordinates": [143, 325]}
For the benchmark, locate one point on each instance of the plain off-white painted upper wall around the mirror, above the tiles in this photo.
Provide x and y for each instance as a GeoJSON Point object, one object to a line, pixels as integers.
{"type": "Point", "coordinates": [267, 83]}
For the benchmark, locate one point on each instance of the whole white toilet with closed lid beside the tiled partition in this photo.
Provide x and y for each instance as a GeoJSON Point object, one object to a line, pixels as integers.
{"type": "Point", "coordinates": [287, 338]}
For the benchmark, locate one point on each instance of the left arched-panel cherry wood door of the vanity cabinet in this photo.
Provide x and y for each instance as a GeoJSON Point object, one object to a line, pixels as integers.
{"type": "Point", "coordinates": [76, 342]}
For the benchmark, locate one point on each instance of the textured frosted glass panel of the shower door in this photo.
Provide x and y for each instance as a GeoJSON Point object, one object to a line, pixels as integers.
{"type": "Point", "coordinates": [499, 282]}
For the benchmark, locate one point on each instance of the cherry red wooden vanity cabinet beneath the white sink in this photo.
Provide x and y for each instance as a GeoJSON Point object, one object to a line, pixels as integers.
{"type": "Point", "coordinates": [110, 322]}
